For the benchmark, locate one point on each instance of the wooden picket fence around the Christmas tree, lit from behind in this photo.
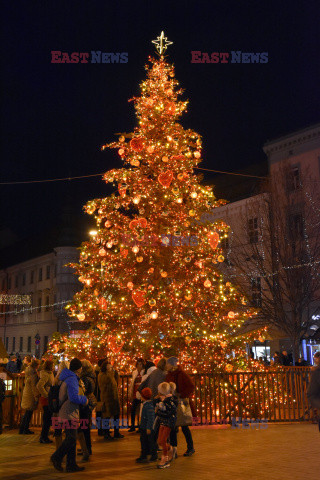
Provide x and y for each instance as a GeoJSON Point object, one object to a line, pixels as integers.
{"type": "Point", "coordinates": [273, 395]}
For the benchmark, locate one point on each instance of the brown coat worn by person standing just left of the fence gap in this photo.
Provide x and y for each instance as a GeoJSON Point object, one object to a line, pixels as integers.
{"type": "Point", "coordinates": [109, 394]}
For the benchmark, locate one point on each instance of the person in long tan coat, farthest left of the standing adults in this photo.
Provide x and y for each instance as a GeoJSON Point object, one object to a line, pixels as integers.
{"type": "Point", "coordinates": [30, 397]}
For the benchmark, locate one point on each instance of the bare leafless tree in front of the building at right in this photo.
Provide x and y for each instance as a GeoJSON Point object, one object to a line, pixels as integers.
{"type": "Point", "coordinates": [274, 252]}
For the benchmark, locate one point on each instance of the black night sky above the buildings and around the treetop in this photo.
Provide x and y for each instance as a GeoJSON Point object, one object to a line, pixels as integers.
{"type": "Point", "coordinates": [55, 117]}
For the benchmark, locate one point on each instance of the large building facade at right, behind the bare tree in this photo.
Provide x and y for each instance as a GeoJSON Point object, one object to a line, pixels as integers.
{"type": "Point", "coordinates": [274, 237]}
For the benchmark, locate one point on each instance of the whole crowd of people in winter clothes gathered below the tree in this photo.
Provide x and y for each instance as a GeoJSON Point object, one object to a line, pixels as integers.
{"type": "Point", "coordinates": [69, 392]}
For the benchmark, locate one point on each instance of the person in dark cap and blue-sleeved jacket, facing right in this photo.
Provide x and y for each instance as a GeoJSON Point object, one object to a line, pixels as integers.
{"type": "Point", "coordinates": [69, 401]}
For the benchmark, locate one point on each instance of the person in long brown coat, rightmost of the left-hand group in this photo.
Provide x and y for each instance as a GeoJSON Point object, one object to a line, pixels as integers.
{"type": "Point", "coordinates": [109, 395]}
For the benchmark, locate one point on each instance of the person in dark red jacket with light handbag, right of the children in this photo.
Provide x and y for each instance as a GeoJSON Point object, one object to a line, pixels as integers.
{"type": "Point", "coordinates": [184, 389]}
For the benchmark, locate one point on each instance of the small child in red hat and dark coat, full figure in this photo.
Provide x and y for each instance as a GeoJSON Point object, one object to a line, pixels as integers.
{"type": "Point", "coordinates": [147, 438]}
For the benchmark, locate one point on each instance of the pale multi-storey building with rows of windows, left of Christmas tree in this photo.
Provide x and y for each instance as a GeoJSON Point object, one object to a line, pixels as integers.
{"type": "Point", "coordinates": [26, 328]}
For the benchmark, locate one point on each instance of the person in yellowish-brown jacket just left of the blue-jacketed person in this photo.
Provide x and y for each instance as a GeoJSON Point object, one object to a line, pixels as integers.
{"type": "Point", "coordinates": [43, 386]}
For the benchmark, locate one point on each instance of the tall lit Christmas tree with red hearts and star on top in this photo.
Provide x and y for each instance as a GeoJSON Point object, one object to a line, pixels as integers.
{"type": "Point", "coordinates": [151, 282]}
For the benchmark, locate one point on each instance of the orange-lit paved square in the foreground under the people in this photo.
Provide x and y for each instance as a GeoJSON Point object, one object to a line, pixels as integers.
{"type": "Point", "coordinates": [280, 451]}
